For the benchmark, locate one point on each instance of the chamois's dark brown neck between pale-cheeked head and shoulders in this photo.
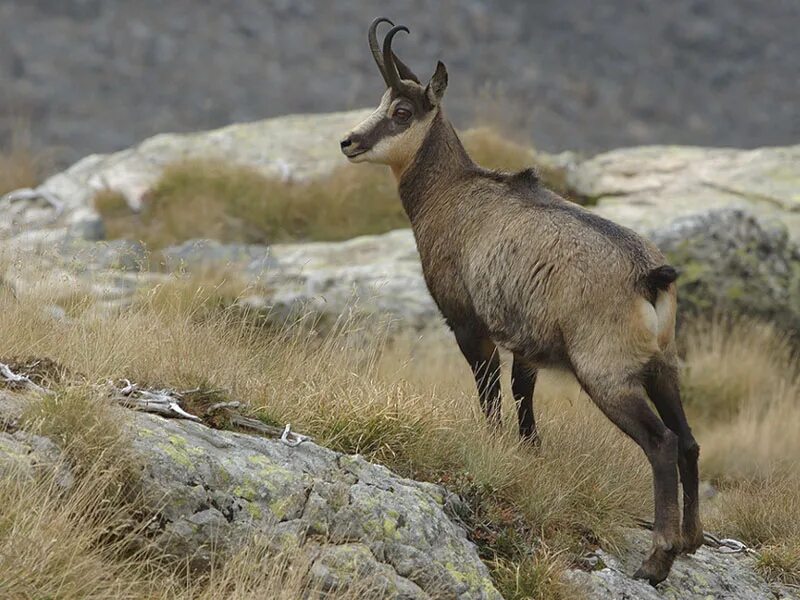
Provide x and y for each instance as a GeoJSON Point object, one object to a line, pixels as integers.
{"type": "Point", "coordinates": [440, 160]}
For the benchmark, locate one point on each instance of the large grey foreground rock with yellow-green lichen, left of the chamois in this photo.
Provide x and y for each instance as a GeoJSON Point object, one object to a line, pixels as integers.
{"type": "Point", "coordinates": [354, 518]}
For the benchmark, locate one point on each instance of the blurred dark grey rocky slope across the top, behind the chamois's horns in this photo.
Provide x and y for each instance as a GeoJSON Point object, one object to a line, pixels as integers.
{"type": "Point", "coordinates": [99, 75]}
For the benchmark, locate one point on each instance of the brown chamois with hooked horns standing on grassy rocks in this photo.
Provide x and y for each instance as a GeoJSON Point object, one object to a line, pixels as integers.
{"type": "Point", "coordinates": [512, 264]}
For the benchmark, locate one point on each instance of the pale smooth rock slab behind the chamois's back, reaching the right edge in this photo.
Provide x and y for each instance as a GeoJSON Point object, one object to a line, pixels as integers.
{"type": "Point", "coordinates": [647, 187]}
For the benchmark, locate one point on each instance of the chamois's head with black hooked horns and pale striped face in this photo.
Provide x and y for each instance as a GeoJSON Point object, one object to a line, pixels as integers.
{"type": "Point", "coordinates": [393, 133]}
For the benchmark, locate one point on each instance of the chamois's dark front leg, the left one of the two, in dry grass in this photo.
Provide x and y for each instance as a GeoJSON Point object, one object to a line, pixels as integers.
{"type": "Point", "coordinates": [481, 354]}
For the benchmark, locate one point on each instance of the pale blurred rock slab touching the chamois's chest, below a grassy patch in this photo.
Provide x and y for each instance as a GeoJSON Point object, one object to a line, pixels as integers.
{"type": "Point", "coordinates": [372, 275]}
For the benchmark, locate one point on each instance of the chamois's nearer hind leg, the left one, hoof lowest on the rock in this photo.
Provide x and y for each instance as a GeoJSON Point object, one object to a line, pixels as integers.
{"type": "Point", "coordinates": [626, 405]}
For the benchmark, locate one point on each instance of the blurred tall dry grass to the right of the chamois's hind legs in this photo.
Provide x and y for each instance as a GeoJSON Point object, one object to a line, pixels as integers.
{"type": "Point", "coordinates": [742, 387]}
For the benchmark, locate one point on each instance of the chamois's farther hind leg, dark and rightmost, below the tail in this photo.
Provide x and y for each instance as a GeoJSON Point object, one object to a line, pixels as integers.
{"type": "Point", "coordinates": [662, 385]}
